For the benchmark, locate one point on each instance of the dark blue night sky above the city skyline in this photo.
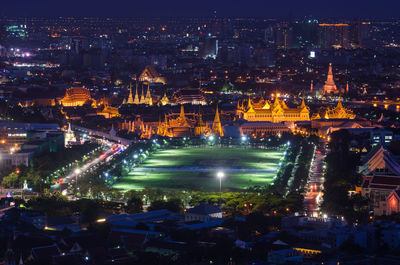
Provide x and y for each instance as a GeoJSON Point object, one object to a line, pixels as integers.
{"type": "Point", "coordinates": [243, 8]}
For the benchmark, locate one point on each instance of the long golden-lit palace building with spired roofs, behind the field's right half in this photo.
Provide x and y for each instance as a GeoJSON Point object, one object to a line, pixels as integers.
{"type": "Point", "coordinates": [274, 112]}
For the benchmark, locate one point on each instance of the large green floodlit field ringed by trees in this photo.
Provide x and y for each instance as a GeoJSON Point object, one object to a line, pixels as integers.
{"type": "Point", "coordinates": [194, 168]}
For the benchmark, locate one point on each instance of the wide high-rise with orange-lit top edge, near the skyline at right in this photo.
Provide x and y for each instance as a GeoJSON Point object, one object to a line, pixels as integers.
{"type": "Point", "coordinates": [334, 35]}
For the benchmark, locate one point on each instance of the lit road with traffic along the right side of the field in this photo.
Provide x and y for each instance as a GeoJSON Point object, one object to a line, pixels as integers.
{"type": "Point", "coordinates": [313, 196]}
